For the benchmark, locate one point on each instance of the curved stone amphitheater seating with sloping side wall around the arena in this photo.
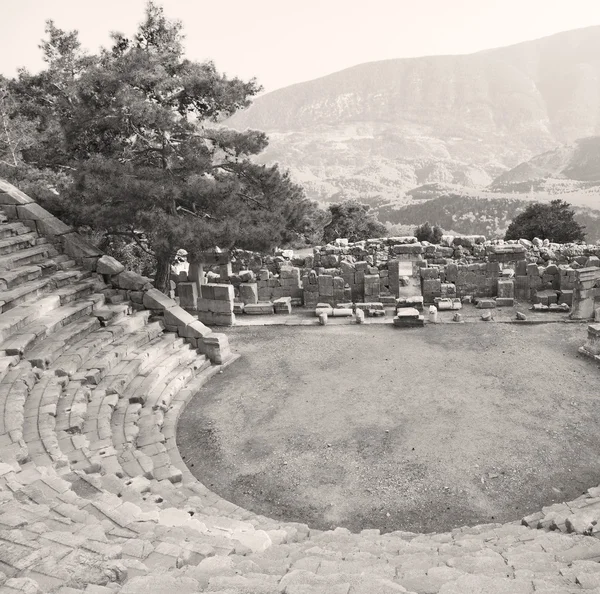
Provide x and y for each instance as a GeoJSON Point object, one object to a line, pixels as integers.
{"type": "Point", "coordinates": [95, 368]}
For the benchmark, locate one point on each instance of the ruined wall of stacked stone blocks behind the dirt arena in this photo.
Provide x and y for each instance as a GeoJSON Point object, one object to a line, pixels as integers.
{"type": "Point", "coordinates": [381, 270]}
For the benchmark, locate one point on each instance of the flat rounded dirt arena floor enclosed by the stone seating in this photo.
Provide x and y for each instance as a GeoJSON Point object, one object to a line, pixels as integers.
{"type": "Point", "coordinates": [380, 427]}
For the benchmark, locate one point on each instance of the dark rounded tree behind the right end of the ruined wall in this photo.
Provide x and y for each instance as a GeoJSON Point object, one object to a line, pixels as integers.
{"type": "Point", "coordinates": [554, 221]}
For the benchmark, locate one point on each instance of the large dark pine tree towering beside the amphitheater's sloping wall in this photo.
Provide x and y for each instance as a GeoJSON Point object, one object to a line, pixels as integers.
{"type": "Point", "coordinates": [138, 129]}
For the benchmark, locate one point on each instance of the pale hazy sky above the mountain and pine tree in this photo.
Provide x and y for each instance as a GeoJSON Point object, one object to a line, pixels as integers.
{"type": "Point", "coordinates": [286, 41]}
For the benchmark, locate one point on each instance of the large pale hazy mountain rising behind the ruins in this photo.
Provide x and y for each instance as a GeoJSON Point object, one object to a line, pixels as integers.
{"type": "Point", "coordinates": [378, 130]}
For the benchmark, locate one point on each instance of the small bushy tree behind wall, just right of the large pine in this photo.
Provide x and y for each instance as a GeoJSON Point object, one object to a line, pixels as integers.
{"type": "Point", "coordinates": [352, 220]}
